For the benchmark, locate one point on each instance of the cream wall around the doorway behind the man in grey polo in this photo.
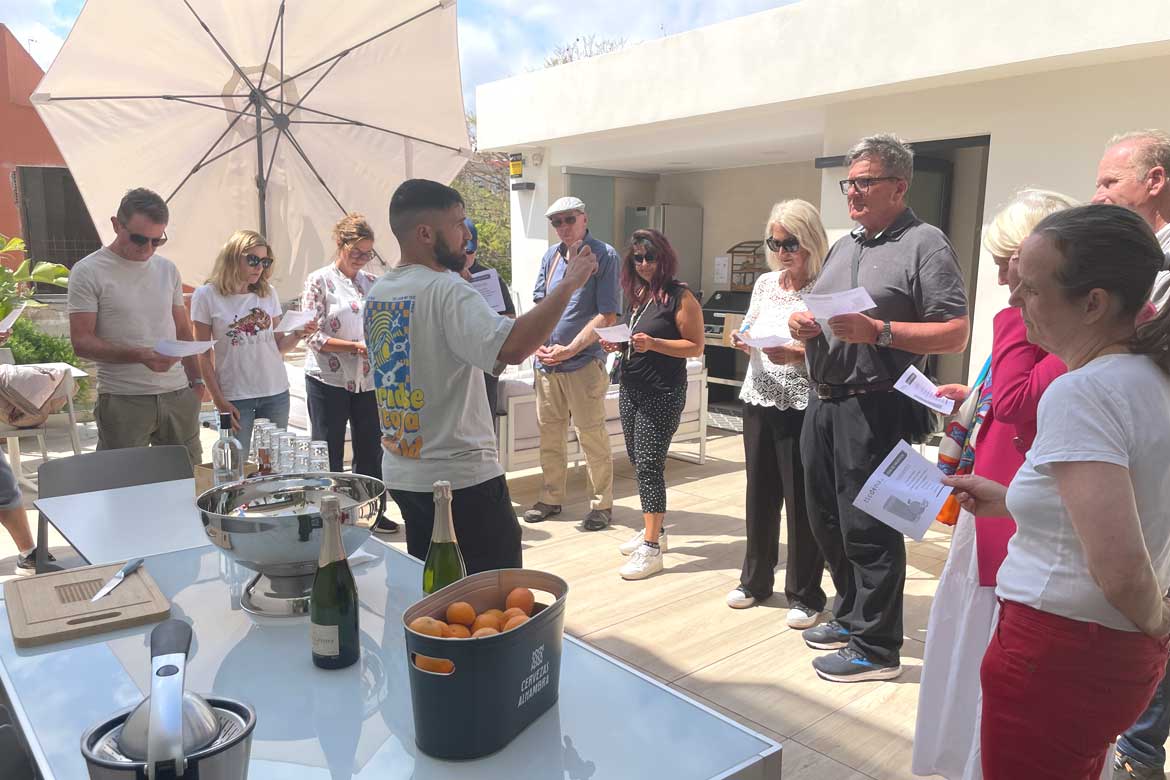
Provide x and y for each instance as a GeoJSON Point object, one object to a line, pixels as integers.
{"type": "Point", "coordinates": [1048, 130]}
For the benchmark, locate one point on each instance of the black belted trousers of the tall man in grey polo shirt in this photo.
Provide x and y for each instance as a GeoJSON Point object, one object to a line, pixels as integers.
{"type": "Point", "coordinates": [842, 444]}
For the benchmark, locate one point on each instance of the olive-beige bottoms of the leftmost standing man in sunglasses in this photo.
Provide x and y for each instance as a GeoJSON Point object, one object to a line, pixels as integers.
{"type": "Point", "coordinates": [142, 420]}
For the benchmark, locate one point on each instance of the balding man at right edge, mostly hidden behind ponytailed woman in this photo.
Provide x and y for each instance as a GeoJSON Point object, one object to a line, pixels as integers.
{"type": "Point", "coordinates": [1133, 174]}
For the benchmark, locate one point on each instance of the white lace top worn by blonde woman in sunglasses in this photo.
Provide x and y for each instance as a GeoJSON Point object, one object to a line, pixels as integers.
{"type": "Point", "coordinates": [768, 384]}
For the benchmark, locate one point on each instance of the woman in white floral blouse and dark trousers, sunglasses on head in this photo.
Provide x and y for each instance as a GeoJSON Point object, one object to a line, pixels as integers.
{"type": "Point", "coordinates": [339, 384]}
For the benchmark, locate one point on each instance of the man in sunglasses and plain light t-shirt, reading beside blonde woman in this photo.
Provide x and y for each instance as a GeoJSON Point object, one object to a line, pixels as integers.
{"type": "Point", "coordinates": [123, 299]}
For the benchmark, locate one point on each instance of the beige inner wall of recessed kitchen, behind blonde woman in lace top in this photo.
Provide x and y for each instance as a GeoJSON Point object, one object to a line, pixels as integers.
{"type": "Point", "coordinates": [737, 203]}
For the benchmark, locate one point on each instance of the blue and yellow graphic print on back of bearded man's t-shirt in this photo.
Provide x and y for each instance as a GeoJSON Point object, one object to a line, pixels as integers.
{"type": "Point", "coordinates": [388, 328]}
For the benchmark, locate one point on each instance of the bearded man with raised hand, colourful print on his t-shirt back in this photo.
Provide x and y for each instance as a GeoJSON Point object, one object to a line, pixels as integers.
{"type": "Point", "coordinates": [431, 339]}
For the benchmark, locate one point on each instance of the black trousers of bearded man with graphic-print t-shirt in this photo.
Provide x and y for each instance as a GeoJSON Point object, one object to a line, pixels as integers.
{"type": "Point", "coordinates": [486, 526]}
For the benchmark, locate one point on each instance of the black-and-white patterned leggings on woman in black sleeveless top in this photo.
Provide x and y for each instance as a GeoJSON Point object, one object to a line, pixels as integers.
{"type": "Point", "coordinates": [649, 422]}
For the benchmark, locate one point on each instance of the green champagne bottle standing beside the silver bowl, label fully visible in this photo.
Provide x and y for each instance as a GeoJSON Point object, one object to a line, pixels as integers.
{"type": "Point", "coordinates": [334, 604]}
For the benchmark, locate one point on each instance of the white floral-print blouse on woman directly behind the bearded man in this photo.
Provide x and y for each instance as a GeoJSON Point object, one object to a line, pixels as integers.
{"type": "Point", "coordinates": [338, 302]}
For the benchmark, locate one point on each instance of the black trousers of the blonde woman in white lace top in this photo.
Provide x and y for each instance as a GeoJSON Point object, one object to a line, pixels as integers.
{"type": "Point", "coordinates": [772, 447]}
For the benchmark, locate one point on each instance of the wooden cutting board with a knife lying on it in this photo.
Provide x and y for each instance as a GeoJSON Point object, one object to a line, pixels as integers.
{"type": "Point", "coordinates": [57, 606]}
